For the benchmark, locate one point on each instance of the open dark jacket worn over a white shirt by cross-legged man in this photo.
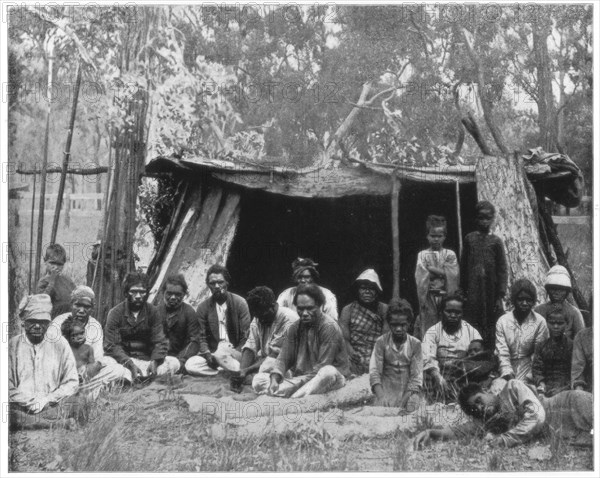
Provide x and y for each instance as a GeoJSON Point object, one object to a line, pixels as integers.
{"type": "Point", "coordinates": [238, 323]}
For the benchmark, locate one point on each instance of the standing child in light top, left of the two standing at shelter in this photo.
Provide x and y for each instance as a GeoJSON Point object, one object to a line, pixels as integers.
{"type": "Point", "coordinates": [436, 275]}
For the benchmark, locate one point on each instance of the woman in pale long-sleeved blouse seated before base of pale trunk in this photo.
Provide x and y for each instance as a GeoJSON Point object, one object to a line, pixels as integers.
{"type": "Point", "coordinates": [519, 333]}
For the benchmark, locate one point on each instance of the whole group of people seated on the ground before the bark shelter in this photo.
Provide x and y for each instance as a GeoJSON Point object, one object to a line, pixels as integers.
{"type": "Point", "coordinates": [296, 345]}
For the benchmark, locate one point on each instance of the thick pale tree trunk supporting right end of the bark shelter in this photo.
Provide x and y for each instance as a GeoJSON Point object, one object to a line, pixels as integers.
{"type": "Point", "coordinates": [501, 181]}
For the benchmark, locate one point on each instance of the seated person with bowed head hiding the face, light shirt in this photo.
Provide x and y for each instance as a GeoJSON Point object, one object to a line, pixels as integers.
{"type": "Point", "coordinates": [267, 333]}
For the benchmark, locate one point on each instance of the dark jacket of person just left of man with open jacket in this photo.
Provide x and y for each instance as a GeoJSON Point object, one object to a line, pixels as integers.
{"type": "Point", "coordinates": [182, 330]}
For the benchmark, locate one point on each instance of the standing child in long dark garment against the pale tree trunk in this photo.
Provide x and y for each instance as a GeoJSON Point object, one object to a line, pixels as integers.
{"type": "Point", "coordinates": [484, 274]}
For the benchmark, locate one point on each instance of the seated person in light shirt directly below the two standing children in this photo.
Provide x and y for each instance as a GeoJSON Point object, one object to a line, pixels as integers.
{"type": "Point", "coordinates": [444, 342]}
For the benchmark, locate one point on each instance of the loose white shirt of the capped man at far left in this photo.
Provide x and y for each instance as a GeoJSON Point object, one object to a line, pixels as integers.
{"type": "Point", "coordinates": [40, 373]}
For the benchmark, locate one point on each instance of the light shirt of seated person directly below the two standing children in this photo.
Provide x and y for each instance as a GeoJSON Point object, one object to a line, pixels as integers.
{"type": "Point", "coordinates": [439, 345]}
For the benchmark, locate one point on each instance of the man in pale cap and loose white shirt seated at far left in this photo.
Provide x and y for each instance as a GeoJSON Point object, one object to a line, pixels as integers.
{"type": "Point", "coordinates": [42, 373]}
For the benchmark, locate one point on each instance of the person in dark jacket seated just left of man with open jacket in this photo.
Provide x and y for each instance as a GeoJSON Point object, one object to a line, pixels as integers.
{"type": "Point", "coordinates": [180, 322]}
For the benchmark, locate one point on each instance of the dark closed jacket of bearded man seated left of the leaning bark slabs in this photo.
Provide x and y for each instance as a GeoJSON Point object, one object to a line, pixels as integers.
{"type": "Point", "coordinates": [126, 337]}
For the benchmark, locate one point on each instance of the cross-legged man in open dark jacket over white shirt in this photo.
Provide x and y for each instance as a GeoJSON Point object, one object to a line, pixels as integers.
{"type": "Point", "coordinates": [224, 324]}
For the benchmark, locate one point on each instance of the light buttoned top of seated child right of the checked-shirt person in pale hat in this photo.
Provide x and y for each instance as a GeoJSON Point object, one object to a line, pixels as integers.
{"type": "Point", "coordinates": [397, 368]}
